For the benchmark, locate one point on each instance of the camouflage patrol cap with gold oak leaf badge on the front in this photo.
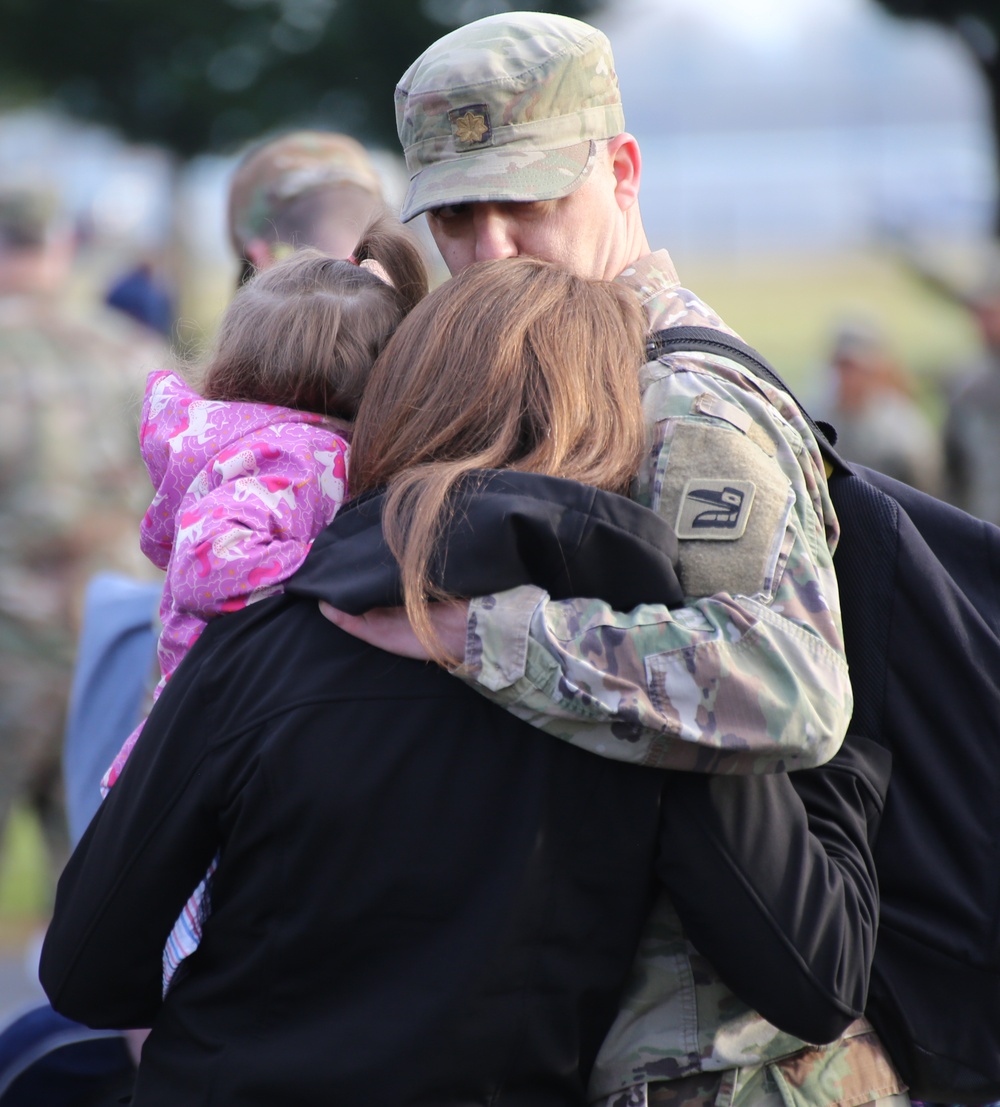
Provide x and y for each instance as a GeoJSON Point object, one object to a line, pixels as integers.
{"type": "Point", "coordinates": [507, 109]}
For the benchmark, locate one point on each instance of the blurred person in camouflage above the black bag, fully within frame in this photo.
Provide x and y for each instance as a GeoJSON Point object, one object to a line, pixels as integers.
{"type": "Point", "coordinates": [879, 422]}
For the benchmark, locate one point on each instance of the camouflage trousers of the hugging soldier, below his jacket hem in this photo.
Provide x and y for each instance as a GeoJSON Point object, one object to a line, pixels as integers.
{"type": "Point", "coordinates": [861, 1077]}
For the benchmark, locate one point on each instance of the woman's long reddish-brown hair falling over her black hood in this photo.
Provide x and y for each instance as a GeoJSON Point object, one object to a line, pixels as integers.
{"type": "Point", "coordinates": [511, 365]}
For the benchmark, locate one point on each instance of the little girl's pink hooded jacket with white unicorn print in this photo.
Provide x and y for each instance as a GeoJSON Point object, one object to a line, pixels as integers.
{"type": "Point", "coordinates": [242, 491]}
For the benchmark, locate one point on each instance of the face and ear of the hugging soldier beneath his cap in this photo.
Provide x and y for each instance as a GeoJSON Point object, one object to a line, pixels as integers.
{"type": "Point", "coordinates": [582, 232]}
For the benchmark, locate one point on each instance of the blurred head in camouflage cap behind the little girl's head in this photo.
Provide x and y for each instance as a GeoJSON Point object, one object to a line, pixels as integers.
{"type": "Point", "coordinates": [305, 189]}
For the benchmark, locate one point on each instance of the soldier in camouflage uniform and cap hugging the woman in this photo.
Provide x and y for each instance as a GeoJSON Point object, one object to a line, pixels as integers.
{"type": "Point", "coordinates": [516, 141]}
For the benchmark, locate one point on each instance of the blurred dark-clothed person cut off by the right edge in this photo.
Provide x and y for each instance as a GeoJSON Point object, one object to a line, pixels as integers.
{"type": "Point", "coordinates": [973, 427]}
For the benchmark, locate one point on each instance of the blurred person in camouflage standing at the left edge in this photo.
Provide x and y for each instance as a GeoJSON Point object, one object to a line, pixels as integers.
{"type": "Point", "coordinates": [73, 487]}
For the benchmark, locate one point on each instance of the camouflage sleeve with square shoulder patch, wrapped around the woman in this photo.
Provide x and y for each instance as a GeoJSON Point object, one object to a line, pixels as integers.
{"type": "Point", "coordinates": [750, 676]}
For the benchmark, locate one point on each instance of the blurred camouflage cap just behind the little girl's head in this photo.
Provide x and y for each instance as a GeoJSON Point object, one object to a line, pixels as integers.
{"type": "Point", "coordinates": [275, 174]}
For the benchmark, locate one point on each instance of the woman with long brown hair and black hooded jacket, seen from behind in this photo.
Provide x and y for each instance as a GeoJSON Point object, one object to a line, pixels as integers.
{"type": "Point", "coordinates": [419, 898]}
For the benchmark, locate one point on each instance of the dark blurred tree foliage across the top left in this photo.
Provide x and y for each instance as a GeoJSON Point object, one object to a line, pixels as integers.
{"type": "Point", "coordinates": [207, 76]}
